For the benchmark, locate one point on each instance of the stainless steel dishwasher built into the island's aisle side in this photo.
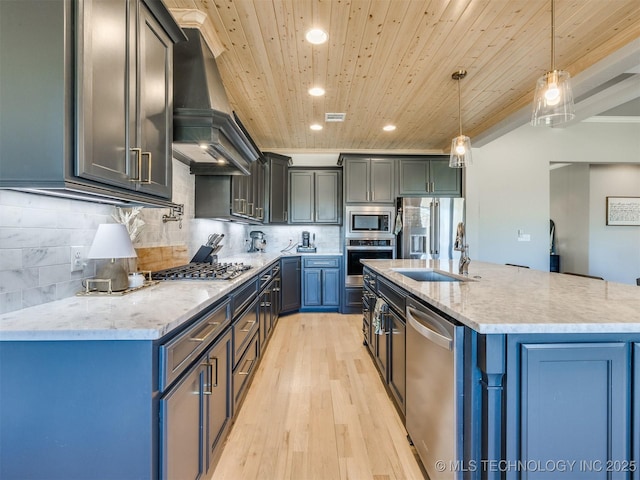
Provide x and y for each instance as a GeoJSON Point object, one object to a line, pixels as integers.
{"type": "Point", "coordinates": [434, 403]}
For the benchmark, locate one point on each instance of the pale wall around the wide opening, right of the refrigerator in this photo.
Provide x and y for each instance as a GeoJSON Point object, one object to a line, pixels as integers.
{"type": "Point", "coordinates": [508, 187]}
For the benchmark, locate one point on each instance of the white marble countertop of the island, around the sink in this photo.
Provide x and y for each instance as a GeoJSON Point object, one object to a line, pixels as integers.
{"type": "Point", "coordinates": [505, 299]}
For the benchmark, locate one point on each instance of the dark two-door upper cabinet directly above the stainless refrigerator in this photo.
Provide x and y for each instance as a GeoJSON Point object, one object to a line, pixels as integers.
{"type": "Point", "coordinates": [429, 176]}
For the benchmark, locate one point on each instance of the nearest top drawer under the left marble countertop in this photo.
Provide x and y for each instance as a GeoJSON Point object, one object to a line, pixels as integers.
{"type": "Point", "coordinates": [178, 353]}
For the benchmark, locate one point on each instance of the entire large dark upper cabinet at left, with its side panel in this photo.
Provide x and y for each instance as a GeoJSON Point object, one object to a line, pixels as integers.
{"type": "Point", "coordinates": [95, 116]}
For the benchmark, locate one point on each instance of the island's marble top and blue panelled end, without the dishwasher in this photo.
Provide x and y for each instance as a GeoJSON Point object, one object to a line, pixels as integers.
{"type": "Point", "coordinates": [551, 368]}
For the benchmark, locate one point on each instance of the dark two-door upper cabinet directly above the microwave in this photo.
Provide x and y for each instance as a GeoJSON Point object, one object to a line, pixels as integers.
{"type": "Point", "coordinates": [369, 180]}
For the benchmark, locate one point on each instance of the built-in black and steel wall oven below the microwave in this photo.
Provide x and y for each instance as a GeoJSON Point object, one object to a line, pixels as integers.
{"type": "Point", "coordinates": [356, 249]}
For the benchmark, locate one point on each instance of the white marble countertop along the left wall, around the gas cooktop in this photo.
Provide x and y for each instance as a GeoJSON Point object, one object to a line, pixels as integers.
{"type": "Point", "coordinates": [145, 314]}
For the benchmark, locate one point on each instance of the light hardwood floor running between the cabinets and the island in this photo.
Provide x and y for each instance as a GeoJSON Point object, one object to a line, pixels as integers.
{"type": "Point", "coordinates": [317, 409]}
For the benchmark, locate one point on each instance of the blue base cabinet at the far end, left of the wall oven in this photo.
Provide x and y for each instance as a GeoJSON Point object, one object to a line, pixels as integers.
{"type": "Point", "coordinates": [321, 285]}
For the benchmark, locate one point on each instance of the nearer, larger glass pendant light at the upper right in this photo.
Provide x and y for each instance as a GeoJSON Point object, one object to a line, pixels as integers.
{"type": "Point", "coordinates": [553, 100]}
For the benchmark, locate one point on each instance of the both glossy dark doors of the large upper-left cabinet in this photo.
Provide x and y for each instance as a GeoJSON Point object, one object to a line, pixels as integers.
{"type": "Point", "coordinates": [125, 98]}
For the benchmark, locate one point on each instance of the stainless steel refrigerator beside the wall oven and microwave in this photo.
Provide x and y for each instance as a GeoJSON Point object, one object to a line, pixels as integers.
{"type": "Point", "coordinates": [428, 229]}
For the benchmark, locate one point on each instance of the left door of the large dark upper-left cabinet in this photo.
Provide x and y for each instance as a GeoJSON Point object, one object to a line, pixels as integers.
{"type": "Point", "coordinates": [103, 79]}
